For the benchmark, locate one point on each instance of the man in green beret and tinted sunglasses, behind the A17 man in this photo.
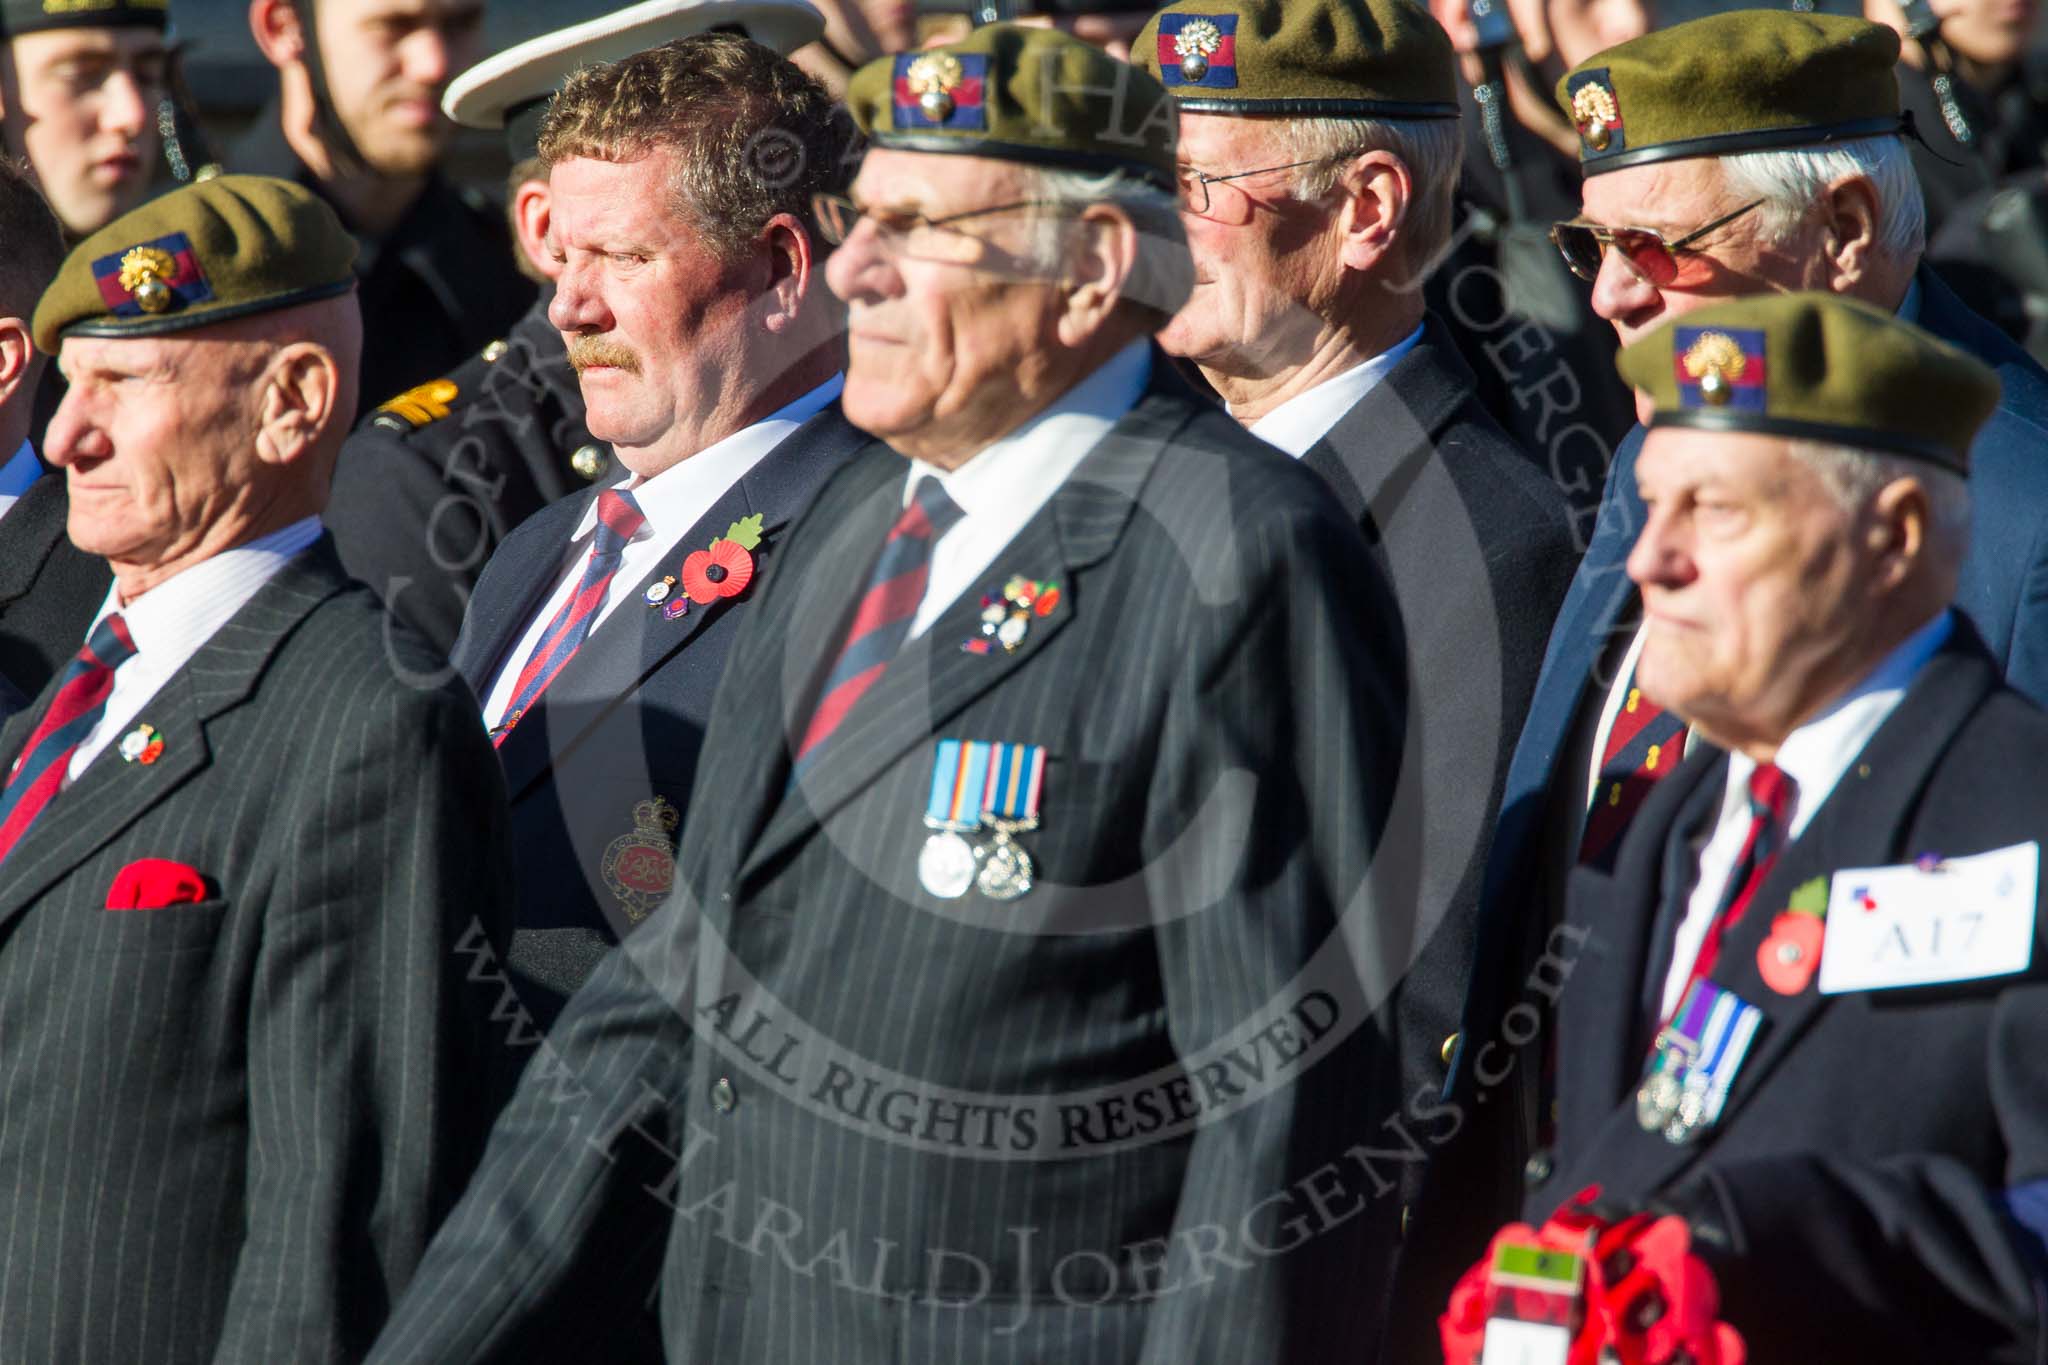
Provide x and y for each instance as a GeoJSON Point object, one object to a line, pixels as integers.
{"type": "Point", "coordinates": [1748, 152]}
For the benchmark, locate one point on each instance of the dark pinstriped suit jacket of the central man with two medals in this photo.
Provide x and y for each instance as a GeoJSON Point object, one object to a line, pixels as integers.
{"type": "Point", "coordinates": [1222, 732]}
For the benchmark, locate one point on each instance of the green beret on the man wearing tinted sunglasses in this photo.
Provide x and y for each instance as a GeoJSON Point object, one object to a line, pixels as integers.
{"type": "Point", "coordinates": [1744, 81]}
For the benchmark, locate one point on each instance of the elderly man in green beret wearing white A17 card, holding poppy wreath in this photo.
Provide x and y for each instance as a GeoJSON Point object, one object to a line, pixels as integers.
{"type": "Point", "coordinates": [1799, 1057]}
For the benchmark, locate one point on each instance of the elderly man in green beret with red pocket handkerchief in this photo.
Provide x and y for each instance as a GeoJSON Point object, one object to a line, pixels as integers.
{"type": "Point", "coordinates": [247, 856]}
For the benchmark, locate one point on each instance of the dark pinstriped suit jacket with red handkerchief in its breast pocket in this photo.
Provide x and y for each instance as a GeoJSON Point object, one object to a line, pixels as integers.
{"type": "Point", "coordinates": [226, 1129]}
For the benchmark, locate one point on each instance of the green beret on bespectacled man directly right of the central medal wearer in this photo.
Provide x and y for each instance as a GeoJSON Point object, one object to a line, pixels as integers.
{"type": "Point", "coordinates": [1304, 58]}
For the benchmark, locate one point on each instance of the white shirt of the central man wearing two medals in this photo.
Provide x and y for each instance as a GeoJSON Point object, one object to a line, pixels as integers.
{"type": "Point", "coordinates": [1005, 486]}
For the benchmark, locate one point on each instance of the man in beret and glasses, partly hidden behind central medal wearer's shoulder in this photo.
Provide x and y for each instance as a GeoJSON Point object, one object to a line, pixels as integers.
{"type": "Point", "coordinates": [1318, 191]}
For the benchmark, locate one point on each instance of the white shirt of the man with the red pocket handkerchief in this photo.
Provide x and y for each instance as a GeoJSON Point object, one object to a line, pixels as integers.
{"type": "Point", "coordinates": [173, 621]}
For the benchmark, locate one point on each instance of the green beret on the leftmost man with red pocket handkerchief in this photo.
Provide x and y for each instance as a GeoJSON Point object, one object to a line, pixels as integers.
{"type": "Point", "coordinates": [204, 253]}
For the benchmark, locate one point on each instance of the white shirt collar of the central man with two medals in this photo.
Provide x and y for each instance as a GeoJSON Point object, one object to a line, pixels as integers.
{"type": "Point", "coordinates": [1060, 437]}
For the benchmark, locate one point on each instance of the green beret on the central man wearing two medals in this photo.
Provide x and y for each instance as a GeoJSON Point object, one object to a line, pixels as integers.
{"type": "Point", "coordinates": [1021, 95]}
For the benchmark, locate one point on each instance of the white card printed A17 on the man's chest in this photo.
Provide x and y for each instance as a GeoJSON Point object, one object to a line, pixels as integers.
{"type": "Point", "coordinates": [1959, 920]}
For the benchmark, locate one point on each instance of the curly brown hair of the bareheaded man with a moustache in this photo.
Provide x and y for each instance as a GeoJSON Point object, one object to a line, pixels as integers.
{"type": "Point", "coordinates": [751, 132]}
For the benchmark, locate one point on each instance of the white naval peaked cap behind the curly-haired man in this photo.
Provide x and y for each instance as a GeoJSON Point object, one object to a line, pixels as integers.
{"type": "Point", "coordinates": [534, 71]}
